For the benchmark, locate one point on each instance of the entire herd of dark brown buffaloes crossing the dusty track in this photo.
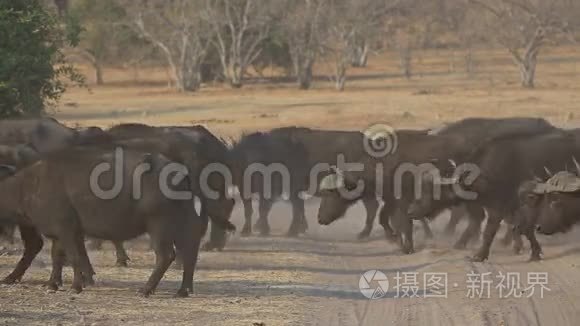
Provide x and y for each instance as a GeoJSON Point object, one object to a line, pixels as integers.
{"type": "Point", "coordinates": [528, 178]}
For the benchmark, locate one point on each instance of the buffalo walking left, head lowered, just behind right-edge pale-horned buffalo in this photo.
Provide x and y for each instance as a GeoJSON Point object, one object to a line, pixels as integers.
{"type": "Point", "coordinates": [503, 164]}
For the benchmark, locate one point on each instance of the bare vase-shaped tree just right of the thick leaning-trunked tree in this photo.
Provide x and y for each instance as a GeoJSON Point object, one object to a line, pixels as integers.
{"type": "Point", "coordinates": [239, 26]}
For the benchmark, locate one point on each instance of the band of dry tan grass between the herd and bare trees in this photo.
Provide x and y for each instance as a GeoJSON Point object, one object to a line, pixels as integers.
{"type": "Point", "coordinates": [374, 94]}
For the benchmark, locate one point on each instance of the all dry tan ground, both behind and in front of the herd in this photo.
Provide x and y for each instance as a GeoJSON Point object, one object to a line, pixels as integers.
{"type": "Point", "coordinates": [314, 280]}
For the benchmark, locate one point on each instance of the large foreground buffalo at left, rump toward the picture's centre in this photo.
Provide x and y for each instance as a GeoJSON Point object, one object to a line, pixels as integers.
{"type": "Point", "coordinates": [54, 197]}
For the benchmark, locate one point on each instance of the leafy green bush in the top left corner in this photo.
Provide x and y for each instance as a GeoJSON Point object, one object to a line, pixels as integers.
{"type": "Point", "coordinates": [33, 69]}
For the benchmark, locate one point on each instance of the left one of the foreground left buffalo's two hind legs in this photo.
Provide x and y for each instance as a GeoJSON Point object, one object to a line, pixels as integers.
{"type": "Point", "coordinates": [162, 243]}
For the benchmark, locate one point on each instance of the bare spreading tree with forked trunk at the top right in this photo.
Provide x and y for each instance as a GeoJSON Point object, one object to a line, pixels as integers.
{"type": "Point", "coordinates": [523, 27]}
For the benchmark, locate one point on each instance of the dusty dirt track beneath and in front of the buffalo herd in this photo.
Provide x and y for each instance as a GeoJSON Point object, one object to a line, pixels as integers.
{"type": "Point", "coordinates": [313, 280]}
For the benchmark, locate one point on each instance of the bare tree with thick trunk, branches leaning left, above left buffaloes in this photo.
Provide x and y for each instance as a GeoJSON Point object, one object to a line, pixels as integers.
{"type": "Point", "coordinates": [177, 29]}
